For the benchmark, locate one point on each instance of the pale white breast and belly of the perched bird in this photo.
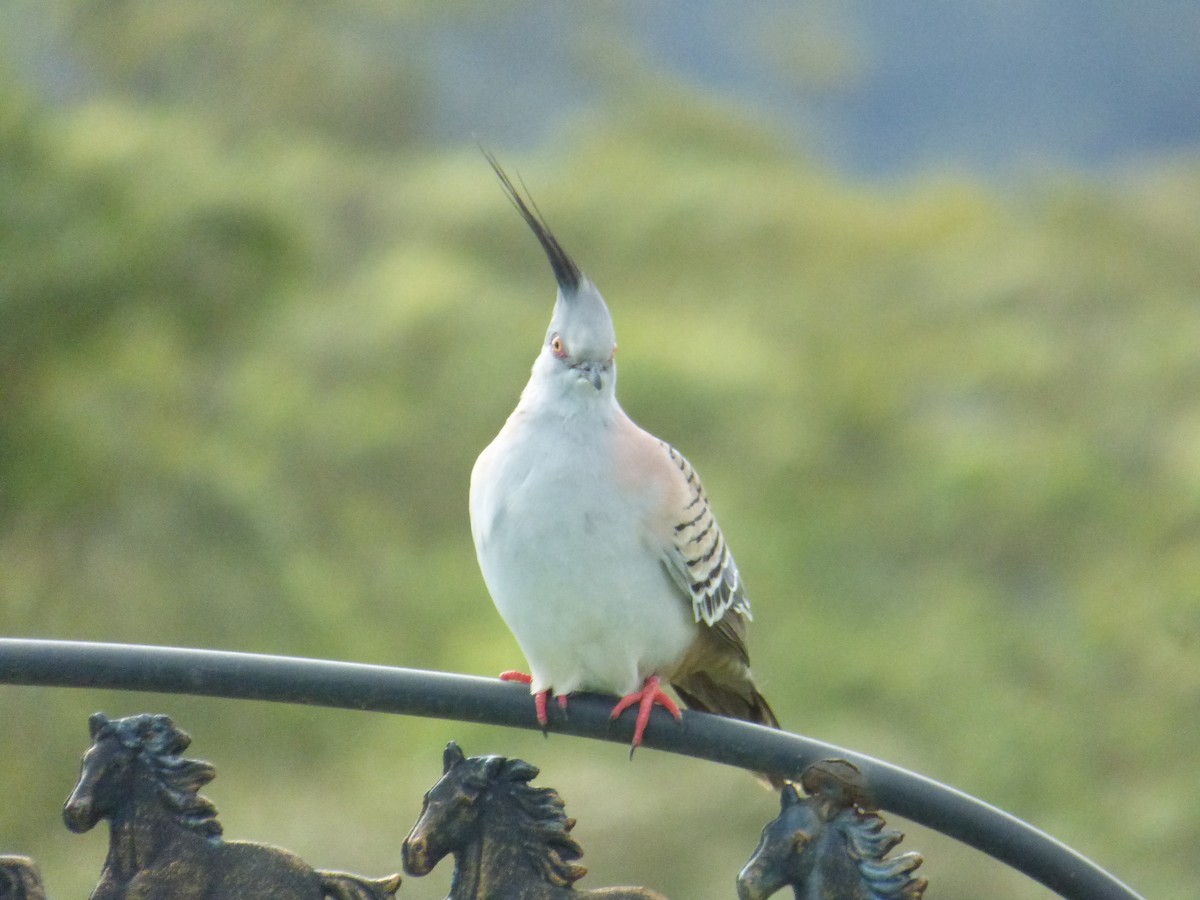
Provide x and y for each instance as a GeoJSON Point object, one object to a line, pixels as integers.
{"type": "Point", "coordinates": [567, 555]}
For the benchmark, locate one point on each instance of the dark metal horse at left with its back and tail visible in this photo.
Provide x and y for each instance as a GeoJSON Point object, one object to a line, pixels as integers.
{"type": "Point", "coordinates": [165, 839]}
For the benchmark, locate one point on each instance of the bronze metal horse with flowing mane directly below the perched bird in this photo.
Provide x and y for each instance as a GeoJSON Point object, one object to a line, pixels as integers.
{"type": "Point", "coordinates": [509, 841]}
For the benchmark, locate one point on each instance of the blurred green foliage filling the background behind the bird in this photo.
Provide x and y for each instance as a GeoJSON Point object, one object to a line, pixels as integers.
{"type": "Point", "coordinates": [251, 343]}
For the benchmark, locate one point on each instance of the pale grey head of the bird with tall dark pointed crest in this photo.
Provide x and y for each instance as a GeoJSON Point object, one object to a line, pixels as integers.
{"type": "Point", "coordinates": [581, 343]}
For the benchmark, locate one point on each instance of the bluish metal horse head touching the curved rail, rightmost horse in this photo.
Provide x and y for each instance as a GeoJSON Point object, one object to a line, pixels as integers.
{"type": "Point", "coordinates": [827, 845]}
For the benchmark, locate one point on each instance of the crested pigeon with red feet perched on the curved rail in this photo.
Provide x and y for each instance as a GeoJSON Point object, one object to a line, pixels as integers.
{"type": "Point", "coordinates": [597, 541]}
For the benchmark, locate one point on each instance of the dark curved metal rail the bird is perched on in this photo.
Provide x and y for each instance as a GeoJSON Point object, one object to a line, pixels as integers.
{"type": "Point", "coordinates": [349, 686]}
